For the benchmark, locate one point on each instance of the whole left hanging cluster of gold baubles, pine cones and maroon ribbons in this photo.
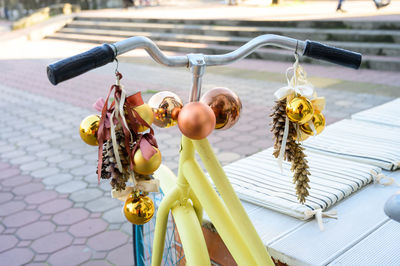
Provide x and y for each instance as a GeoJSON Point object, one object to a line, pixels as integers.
{"type": "Point", "coordinates": [128, 152]}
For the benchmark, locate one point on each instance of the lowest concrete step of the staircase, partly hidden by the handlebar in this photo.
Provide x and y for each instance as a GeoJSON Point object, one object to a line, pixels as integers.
{"type": "Point", "coordinates": [370, 62]}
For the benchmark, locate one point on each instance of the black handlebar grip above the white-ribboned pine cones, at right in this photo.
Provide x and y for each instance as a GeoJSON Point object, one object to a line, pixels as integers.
{"type": "Point", "coordinates": [332, 54]}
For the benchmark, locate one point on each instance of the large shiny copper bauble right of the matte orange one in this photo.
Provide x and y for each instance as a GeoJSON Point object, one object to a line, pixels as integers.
{"type": "Point", "coordinates": [226, 106]}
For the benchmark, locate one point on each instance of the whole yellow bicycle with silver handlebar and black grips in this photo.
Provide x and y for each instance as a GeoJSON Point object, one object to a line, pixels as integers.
{"type": "Point", "coordinates": [191, 191]}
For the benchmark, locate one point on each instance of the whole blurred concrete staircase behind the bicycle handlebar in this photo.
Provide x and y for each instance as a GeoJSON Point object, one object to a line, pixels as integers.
{"type": "Point", "coordinates": [379, 42]}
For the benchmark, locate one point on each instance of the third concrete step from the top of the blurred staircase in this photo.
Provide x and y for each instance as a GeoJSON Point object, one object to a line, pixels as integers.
{"type": "Point", "coordinates": [364, 48]}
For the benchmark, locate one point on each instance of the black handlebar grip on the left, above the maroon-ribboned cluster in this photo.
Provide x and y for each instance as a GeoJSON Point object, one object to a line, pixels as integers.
{"type": "Point", "coordinates": [78, 64]}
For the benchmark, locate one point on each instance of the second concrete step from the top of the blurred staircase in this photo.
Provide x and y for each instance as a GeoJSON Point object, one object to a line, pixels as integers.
{"type": "Point", "coordinates": [343, 35]}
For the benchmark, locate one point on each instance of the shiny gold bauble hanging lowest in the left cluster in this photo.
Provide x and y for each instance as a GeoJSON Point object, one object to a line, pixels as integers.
{"type": "Point", "coordinates": [138, 209]}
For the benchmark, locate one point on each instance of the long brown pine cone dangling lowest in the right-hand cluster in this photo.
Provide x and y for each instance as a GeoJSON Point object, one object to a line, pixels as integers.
{"type": "Point", "coordinates": [301, 173]}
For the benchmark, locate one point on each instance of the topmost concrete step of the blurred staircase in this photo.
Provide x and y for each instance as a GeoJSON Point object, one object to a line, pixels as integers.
{"type": "Point", "coordinates": [321, 24]}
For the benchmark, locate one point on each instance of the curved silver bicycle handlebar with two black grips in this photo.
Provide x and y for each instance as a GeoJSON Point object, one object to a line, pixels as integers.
{"type": "Point", "coordinates": [99, 56]}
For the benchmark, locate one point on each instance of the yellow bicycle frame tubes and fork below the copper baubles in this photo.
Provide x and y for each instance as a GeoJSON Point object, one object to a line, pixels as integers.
{"type": "Point", "coordinates": [187, 194]}
